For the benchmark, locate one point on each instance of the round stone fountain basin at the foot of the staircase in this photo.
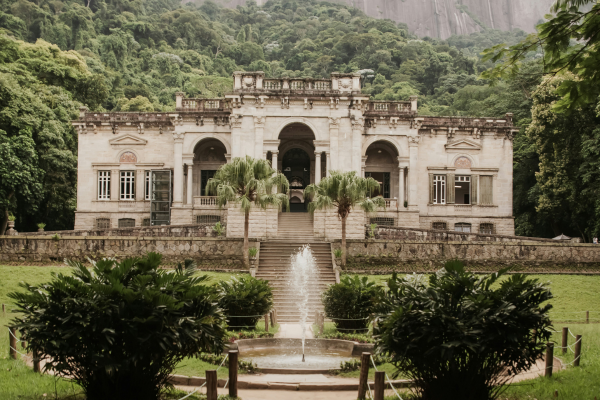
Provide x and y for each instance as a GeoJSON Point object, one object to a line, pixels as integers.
{"type": "Point", "coordinates": [284, 356]}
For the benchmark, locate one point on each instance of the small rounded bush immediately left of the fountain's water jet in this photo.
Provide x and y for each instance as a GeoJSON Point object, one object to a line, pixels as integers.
{"type": "Point", "coordinates": [245, 300]}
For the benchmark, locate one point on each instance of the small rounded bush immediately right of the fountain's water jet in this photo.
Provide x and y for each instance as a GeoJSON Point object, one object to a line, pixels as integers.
{"type": "Point", "coordinates": [350, 303]}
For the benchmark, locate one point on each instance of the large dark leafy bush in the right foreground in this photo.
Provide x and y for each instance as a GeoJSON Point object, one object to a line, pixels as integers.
{"type": "Point", "coordinates": [459, 335]}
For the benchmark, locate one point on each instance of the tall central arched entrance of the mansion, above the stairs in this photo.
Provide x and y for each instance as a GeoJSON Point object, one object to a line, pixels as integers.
{"type": "Point", "coordinates": [297, 162]}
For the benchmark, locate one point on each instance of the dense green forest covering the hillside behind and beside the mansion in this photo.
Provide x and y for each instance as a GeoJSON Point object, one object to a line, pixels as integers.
{"type": "Point", "coordinates": [134, 55]}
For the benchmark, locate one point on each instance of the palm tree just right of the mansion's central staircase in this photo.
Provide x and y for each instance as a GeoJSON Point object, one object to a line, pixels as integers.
{"type": "Point", "coordinates": [344, 191]}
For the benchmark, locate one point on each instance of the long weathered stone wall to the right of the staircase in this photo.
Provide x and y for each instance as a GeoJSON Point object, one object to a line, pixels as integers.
{"type": "Point", "coordinates": [430, 255]}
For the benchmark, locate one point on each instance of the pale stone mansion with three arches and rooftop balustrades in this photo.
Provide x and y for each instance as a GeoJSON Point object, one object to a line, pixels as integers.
{"type": "Point", "coordinates": [151, 168]}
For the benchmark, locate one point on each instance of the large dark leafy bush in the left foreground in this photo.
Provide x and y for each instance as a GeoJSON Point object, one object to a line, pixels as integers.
{"type": "Point", "coordinates": [119, 329]}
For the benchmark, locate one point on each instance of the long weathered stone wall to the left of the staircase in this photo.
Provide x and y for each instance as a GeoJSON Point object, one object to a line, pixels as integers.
{"type": "Point", "coordinates": [209, 253]}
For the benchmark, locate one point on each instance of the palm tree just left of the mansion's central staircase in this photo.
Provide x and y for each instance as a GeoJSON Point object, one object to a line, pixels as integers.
{"type": "Point", "coordinates": [247, 181]}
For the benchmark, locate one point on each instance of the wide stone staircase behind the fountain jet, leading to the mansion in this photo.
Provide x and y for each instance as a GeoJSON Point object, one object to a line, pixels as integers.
{"type": "Point", "coordinates": [294, 231]}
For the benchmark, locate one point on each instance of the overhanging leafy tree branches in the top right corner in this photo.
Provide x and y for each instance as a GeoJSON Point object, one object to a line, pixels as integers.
{"type": "Point", "coordinates": [567, 42]}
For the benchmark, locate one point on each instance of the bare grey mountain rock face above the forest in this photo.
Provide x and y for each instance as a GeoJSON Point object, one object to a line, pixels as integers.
{"type": "Point", "coordinates": [443, 18]}
